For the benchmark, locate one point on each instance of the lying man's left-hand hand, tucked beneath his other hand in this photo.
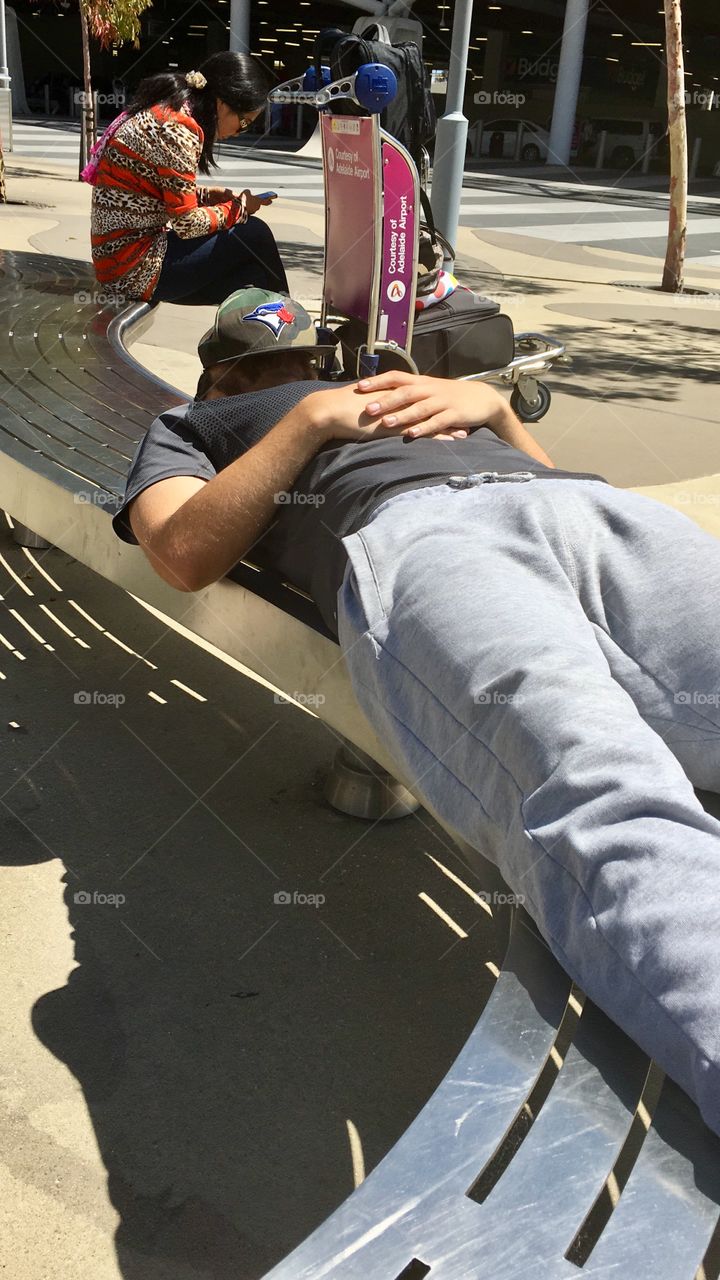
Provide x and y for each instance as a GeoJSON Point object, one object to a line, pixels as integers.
{"type": "Point", "coordinates": [344, 415]}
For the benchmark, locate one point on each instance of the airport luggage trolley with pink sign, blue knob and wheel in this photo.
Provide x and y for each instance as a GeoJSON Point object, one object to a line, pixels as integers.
{"type": "Point", "coordinates": [373, 212]}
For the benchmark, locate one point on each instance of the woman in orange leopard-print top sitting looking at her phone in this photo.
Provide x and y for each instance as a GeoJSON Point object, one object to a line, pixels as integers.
{"type": "Point", "coordinates": [144, 176]}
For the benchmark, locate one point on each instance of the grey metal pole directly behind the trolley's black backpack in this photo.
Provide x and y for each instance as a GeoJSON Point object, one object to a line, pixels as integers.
{"type": "Point", "coordinates": [453, 131]}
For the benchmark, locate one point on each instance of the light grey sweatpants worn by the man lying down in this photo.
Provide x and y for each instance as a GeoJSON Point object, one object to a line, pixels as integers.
{"type": "Point", "coordinates": [544, 660]}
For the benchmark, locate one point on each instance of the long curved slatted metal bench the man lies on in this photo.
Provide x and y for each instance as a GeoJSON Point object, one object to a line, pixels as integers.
{"type": "Point", "coordinates": [554, 1148]}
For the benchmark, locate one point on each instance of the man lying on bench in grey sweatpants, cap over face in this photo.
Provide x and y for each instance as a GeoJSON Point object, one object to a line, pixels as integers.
{"type": "Point", "coordinates": [539, 650]}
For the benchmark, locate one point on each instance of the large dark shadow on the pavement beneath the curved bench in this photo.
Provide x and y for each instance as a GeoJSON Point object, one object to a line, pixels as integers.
{"type": "Point", "coordinates": [222, 1041]}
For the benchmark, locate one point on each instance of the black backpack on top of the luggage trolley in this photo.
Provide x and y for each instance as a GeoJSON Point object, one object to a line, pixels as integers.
{"type": "Point", "coordinates": [412, 117]}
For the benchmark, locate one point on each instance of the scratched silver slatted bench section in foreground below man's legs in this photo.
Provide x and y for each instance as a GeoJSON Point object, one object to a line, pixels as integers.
{"type": "Point", "coordinates": [414, 1206]}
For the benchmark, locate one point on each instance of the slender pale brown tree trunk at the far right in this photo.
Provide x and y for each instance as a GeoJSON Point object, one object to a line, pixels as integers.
{"type": "Point", "coordinates": [678, 228]}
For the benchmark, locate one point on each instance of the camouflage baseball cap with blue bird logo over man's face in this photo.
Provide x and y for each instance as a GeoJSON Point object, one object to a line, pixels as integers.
{"type": "Point", "coordinates": [254, 322]}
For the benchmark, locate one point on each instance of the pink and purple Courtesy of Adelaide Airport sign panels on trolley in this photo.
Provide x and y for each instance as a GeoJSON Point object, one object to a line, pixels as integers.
{"type": "Point", "coordinates": [371, 228]}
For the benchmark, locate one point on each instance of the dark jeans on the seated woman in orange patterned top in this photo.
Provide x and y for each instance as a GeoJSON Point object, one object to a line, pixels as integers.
{"type": "Point", "coordinates": [207, 269]}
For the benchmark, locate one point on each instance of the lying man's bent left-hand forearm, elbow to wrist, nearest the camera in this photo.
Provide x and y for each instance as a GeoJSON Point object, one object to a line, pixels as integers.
{"type": "Point", "coordinates": [215, 529]}
